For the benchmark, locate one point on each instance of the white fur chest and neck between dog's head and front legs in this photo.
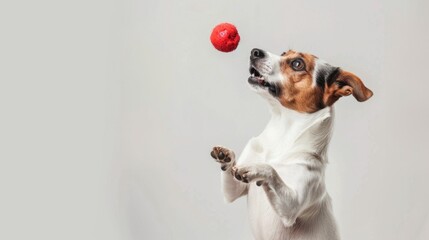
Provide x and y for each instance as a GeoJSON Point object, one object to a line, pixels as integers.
{"type": "Point", "coordinates": [288, 133]}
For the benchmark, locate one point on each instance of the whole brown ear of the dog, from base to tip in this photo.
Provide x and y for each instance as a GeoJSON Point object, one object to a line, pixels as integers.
{"type": "Point", "coordinates": [346, 83]}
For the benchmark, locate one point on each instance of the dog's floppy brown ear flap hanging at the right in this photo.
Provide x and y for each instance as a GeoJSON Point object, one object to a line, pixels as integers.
{"type": "Point", "coordinates": [347, 83]}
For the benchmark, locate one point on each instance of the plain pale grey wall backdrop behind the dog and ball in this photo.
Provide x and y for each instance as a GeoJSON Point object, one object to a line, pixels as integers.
{"type": "Point", "coordinates": [109, 109]}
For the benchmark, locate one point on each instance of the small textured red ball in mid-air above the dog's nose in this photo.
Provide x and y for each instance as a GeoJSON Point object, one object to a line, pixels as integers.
{"type": "Point", "coordinates": [225, 37]}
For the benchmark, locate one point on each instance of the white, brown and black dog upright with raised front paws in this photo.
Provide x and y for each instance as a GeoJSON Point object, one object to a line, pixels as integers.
{"type": "Point", "coordinates": [282, 170]}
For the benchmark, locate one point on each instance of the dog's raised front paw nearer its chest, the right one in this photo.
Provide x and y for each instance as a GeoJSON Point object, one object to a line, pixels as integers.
{"type": "Point", "coordinates": [253, 172]}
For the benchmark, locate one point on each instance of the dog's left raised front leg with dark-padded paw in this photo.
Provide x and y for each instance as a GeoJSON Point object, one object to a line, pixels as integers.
{"type": "Point", "coordinates": [232, 189]}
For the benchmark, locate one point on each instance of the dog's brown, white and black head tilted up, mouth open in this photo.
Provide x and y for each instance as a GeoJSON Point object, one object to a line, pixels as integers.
{"type": "Point", "coordinates": [301, 81]}
